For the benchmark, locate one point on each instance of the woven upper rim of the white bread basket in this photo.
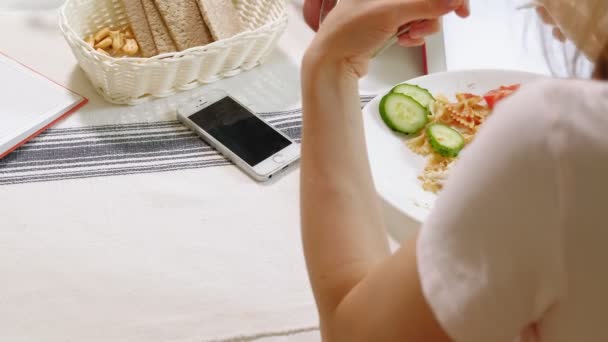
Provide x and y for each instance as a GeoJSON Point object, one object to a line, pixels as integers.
{"type": "Point", "coordinates": [67, 30]}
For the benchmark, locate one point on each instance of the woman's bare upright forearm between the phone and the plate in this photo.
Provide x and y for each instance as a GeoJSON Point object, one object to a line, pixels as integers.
{"type": "Point", "coordinates": [342, 224]}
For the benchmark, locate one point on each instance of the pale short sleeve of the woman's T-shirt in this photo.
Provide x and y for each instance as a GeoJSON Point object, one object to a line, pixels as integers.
{"type": "Point", "coordinates": [490, 255]}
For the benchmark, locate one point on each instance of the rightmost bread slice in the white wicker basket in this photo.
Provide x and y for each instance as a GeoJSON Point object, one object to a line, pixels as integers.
{"type": "Point", "coordinates": [221, 17]}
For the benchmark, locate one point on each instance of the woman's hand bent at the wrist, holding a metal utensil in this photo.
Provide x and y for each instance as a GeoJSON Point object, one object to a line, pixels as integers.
{"type": "Point", "coordinates": [356, 28]}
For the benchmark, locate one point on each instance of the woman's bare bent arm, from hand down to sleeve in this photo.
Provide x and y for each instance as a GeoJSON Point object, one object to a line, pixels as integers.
{"type": "Point", "coordinates": [363, 293]}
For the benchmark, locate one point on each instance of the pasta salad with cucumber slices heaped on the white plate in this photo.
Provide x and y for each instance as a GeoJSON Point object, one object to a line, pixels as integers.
{"type": "Point", "coordinates": [438, 127]}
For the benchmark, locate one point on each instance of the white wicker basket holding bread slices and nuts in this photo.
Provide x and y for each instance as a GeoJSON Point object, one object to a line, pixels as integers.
{"type": "Point", "coordinates": [135, 80]}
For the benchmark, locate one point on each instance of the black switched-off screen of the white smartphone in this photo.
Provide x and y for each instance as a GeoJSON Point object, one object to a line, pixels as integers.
{"type": "Point", "coordinates": [240, 131]}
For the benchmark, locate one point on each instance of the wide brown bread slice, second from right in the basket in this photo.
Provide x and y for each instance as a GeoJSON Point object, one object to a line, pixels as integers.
{"type": "Point", "coordinates": [184, 22]}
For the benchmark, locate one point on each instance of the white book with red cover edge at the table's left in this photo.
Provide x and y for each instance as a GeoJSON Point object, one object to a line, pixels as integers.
{"type": "Point", "coordinates": [29, 104]}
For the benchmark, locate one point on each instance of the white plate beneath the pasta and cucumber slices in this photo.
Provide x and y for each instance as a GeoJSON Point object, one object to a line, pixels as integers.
{"type": "Point", "coordinates": [395, 167]}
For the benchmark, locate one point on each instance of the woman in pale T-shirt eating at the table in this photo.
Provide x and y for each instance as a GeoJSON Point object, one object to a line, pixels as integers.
{"type": "Point", "coordinates": [516, 245]}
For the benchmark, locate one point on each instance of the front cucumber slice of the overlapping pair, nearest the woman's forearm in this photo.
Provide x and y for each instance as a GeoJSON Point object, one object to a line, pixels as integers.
{"type": "Point", "coordinates": [403, 114]}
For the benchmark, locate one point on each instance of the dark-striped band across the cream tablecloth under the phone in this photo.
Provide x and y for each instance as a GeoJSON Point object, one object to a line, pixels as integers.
{"type": "Point", "coordinates": [112, 150]}
